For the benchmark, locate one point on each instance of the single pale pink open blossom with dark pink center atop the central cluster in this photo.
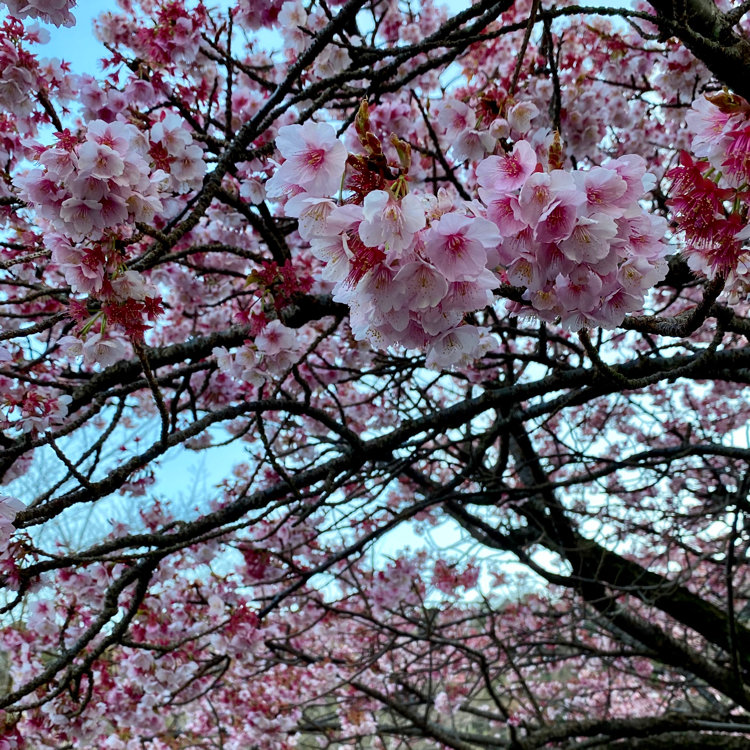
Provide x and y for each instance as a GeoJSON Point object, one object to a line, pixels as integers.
{"type": "Point", "coordinates": [314, 160]}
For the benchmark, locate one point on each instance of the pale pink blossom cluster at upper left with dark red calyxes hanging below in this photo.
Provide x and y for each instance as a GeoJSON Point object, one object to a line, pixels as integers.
{"type": "Point", "coordinates": [89, 192]}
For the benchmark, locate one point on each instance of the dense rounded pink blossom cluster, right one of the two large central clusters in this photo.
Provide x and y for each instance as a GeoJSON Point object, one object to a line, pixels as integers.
{"type": "Point", "coordinates": [579, 243]}
